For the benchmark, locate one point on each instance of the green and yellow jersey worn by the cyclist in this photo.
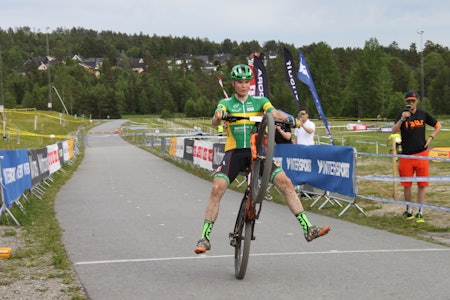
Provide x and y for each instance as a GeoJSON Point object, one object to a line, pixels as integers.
{"type": "Point", "coordinates": [239, 132]}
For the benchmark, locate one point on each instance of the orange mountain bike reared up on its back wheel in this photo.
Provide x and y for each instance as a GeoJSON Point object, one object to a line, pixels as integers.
{"type": "Point", "coordinates": [258, 176]}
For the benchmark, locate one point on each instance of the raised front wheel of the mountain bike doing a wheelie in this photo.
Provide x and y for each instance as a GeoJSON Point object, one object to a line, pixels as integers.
{"type": "Point", "coordinates": [266, 131]}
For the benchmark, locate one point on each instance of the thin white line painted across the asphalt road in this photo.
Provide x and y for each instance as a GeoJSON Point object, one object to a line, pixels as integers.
{"type": "Point", "coordinates": [203, 256]}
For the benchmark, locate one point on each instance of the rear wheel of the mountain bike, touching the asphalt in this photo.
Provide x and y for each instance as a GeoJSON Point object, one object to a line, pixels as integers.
{"type": "Point", "coordinates": [243, 236]}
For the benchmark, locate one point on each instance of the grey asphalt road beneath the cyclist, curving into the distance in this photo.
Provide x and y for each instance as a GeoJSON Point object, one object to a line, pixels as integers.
{"type": "Point", "coordinates": [131, 221]}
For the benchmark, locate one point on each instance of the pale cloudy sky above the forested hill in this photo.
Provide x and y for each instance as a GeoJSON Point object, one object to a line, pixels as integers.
{"type": "Point", "coordinates": [339, 23]}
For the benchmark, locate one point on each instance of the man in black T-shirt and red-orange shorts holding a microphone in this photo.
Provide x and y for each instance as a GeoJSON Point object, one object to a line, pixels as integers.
{"type": "Point", "coordinates": [411, 124]}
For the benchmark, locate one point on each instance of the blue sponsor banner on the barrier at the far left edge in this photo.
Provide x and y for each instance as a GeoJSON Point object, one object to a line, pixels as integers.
{"type": "Point", "coordinates": [16, 174]}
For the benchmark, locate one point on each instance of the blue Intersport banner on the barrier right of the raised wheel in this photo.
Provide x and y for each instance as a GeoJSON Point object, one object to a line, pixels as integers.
{"type": "Point", "coordinates": [327, 168]}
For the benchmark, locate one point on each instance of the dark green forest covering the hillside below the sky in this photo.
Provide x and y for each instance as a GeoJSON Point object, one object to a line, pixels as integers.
{"type": "Point", "coordinates": [351, 82]}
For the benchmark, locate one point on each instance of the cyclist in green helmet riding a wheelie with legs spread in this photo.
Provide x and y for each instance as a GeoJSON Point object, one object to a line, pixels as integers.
{"type": "Point", "coordinates": [238, 155]}
